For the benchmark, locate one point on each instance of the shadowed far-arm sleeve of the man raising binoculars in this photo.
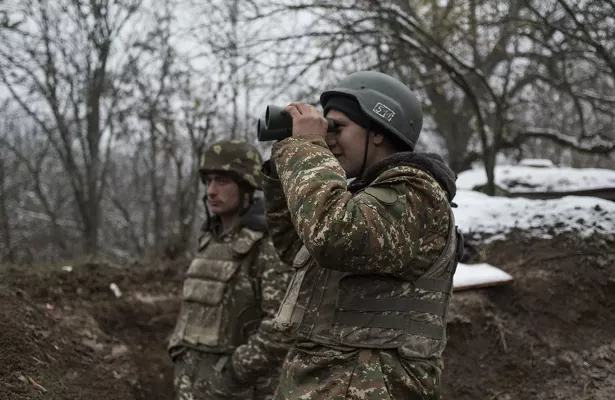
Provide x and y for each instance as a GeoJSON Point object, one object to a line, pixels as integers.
{"type": "Point", "coordinates": [279, 223]}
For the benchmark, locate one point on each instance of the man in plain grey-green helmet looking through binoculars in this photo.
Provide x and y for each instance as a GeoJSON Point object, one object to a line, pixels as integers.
{"type": "Point", "coordinates": [374, 259]}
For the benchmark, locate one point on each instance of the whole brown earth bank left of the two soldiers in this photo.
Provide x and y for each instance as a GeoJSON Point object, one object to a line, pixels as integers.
{"type": "Point", "coordinates": [119, 342]}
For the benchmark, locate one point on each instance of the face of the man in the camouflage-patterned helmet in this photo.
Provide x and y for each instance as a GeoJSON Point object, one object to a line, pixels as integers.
{"type": "Point", "coordinates": [222, 194]}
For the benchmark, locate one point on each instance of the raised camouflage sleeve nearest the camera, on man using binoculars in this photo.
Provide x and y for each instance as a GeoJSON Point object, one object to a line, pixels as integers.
{"type": "Point", "coordinates": [383, 229]}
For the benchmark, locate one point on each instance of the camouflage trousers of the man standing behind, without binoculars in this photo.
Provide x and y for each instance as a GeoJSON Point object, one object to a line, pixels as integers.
{"type": "Point", "coordinates": [195, 371]}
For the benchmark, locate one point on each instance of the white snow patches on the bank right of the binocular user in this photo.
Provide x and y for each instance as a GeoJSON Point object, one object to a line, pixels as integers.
{"type": "Point", "coordinates": [488, 218]}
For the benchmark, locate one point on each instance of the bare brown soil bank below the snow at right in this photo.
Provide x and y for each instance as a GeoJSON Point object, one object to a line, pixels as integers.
{"type": "Point", "coordinates": [550, 335]}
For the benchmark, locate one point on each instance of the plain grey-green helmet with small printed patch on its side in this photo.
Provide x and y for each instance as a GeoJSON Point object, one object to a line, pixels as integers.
{"type": "Point", "coordinates": [385, 100]}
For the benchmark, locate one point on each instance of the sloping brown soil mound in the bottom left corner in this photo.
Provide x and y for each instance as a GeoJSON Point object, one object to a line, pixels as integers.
{"type": "Point", "coordinates": [40, 359]}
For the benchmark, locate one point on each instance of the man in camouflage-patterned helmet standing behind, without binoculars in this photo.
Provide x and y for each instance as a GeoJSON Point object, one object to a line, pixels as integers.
{"type": "Point", "coordinates": [223, 346]}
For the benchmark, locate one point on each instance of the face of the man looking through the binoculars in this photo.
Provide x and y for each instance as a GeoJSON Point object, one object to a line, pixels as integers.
{"type": "Point", "coordinates": [347, 144]}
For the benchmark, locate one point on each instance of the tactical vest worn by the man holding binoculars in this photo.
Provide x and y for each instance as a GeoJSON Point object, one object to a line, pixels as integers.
{"type": "Point", "coordinates": [371, 311]}
